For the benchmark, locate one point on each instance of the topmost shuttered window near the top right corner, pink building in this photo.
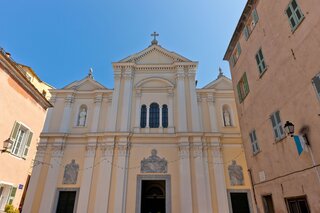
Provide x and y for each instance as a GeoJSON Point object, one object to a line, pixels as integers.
{"type": "Point", "coordinates": [294, 14]}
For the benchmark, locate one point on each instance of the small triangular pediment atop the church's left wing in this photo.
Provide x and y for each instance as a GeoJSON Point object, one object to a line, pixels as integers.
{"type": "Point", "coordinates": [86, 84]}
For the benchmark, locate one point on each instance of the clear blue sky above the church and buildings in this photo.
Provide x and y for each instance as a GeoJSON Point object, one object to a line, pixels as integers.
{"type": "Point", "coordinates": [62, 39]}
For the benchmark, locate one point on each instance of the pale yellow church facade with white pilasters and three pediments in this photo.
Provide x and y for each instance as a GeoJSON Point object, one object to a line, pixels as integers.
{"type": "Point", "coordinates": [154, 143]}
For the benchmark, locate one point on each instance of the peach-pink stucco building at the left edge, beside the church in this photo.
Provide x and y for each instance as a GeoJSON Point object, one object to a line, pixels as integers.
{"type": "Point", "coordinates": [23, 110]}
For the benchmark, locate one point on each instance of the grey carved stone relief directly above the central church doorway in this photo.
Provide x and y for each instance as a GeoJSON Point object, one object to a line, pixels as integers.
{"type": "Point", "coordinates": [154, 164]}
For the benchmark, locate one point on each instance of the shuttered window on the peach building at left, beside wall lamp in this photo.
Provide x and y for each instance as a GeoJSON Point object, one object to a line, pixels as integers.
{"type": "Point", "coordinates": [20, 140]}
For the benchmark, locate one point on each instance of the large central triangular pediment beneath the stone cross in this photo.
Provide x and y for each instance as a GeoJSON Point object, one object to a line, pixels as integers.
{"type": "Point", "coordinates": [155, 54]}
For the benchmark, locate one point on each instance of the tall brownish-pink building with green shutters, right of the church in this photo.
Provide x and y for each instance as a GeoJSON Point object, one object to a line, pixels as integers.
{"type": "Point", "coordinates": [274, 61]}
